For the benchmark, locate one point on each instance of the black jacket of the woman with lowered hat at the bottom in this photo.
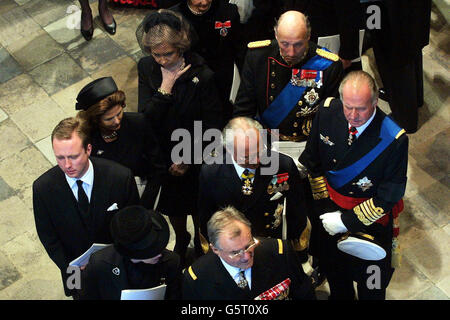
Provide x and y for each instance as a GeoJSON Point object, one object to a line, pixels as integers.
{"type": "Point", "coordinates": [100, 283]}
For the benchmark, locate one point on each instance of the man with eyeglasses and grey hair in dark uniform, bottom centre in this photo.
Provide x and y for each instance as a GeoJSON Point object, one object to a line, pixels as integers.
{"type": "Point", "coordinates": [240, 267]}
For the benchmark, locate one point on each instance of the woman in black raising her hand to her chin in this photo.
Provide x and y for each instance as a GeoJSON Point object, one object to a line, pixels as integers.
{"type": "Point", "coordinates": [176, 89]}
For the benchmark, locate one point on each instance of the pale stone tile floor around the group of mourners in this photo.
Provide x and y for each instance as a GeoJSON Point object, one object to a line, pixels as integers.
{"type": "Point", "coordinates": [44, 62]}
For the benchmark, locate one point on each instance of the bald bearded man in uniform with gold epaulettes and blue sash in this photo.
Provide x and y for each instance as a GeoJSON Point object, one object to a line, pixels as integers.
{"type": "Point", "coordinates": [284, 80]}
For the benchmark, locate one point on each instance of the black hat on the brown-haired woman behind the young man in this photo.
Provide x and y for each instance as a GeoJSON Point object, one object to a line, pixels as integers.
{"type": "Point", "coordinates": [95, 91]}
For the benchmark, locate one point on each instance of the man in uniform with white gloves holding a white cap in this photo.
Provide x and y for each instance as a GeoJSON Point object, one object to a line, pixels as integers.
{"type": "Point", "coordinates": [357, 160]}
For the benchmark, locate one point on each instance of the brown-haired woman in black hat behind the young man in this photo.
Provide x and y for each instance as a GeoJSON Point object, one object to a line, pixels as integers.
{"type": "Point", "coordinates": [124, 137]}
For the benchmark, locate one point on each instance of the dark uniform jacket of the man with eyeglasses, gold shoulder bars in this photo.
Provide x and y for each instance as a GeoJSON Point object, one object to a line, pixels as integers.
{"type": "Point", "coordinates": [207, 278]}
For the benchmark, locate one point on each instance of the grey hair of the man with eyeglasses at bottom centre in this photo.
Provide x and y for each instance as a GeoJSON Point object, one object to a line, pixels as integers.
{"type": "Point", "coordinates": [222, 220]}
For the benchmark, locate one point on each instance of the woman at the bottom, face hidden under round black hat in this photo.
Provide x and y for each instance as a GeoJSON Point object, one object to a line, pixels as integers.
{"type": "Point", "coordinates": [138, 258]}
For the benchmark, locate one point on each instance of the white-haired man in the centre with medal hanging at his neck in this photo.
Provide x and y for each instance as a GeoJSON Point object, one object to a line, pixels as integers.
{"type": "Point", "coordinates": [257, 184]}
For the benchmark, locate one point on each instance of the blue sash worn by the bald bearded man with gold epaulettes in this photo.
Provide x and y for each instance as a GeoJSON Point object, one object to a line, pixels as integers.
{"type": "Point", "coordinates": [291, 94]}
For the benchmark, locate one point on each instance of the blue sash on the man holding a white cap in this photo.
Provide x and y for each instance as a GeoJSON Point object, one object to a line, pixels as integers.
{"type": "Point", "coordinates": [388, 132]}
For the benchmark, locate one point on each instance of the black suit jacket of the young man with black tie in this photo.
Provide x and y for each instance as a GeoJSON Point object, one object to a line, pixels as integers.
{"type": "Point", "coordinates": [58, 221]}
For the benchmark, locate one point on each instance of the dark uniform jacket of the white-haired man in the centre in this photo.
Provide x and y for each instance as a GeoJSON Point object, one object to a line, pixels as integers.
{"type": "Point", "coordinates": [220, 186]}
